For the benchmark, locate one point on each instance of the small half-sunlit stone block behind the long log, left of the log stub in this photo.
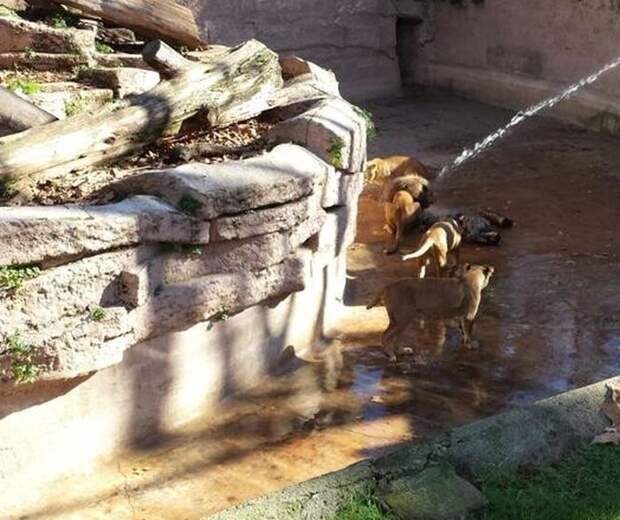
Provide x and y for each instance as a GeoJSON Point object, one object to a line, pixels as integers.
{"type": "Point", "coordinates": [124, 81]}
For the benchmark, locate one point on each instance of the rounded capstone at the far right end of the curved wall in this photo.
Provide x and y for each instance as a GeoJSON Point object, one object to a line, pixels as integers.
{"type": "Point", "coordinates": [332, 129]}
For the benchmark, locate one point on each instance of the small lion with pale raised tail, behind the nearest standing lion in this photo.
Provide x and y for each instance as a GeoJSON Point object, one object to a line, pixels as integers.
{"type": "Point", "coordinates": [440, 239]}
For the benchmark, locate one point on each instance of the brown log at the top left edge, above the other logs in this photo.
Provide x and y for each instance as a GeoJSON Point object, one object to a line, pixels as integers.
{"type": "Point", "coordinates": [155, 18]}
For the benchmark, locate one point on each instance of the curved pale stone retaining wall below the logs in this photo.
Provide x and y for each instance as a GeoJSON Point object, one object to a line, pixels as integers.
{"type": "Point", "coordinates": [122, 322]}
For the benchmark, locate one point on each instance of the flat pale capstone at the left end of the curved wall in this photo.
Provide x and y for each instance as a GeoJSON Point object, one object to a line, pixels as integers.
{"type": "Point", "coordinates": [36, 234]}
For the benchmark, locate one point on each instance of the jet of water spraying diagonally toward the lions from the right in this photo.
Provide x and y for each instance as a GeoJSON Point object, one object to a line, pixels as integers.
{"type": "Point", "coordinates": [479, 147]}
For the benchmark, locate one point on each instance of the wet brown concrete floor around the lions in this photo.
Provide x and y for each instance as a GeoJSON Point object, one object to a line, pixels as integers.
{"type": "Point", "coordinates": [548, 322]}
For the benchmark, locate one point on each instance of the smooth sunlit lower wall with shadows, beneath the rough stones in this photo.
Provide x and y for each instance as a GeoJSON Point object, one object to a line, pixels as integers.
{"type": "Point", "coordinates": [61, 427]}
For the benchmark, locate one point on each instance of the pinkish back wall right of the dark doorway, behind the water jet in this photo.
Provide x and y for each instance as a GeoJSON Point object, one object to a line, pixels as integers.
{"type": "Point", "coordinates": [516, 52]}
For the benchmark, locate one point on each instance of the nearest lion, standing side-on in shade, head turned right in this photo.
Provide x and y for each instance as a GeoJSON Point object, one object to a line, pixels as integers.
{"type": "Point", "coordinates": [435, 299]}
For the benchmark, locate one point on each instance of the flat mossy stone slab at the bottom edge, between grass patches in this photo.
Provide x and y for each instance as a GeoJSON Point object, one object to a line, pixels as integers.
{"type": "Point", "coordinates": [436, 493]}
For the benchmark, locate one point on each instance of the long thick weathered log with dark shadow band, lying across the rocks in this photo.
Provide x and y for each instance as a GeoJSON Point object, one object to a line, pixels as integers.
{"type": "Point", "coordinates": [245, 74]}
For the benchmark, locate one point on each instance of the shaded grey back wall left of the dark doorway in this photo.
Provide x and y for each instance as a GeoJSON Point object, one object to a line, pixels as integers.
{"type": "Point", "coordinates": [355, 38]}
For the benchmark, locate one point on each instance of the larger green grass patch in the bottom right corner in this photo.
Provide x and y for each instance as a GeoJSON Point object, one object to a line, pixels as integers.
{"type": "Point", "coordinates": [585, 486]}
